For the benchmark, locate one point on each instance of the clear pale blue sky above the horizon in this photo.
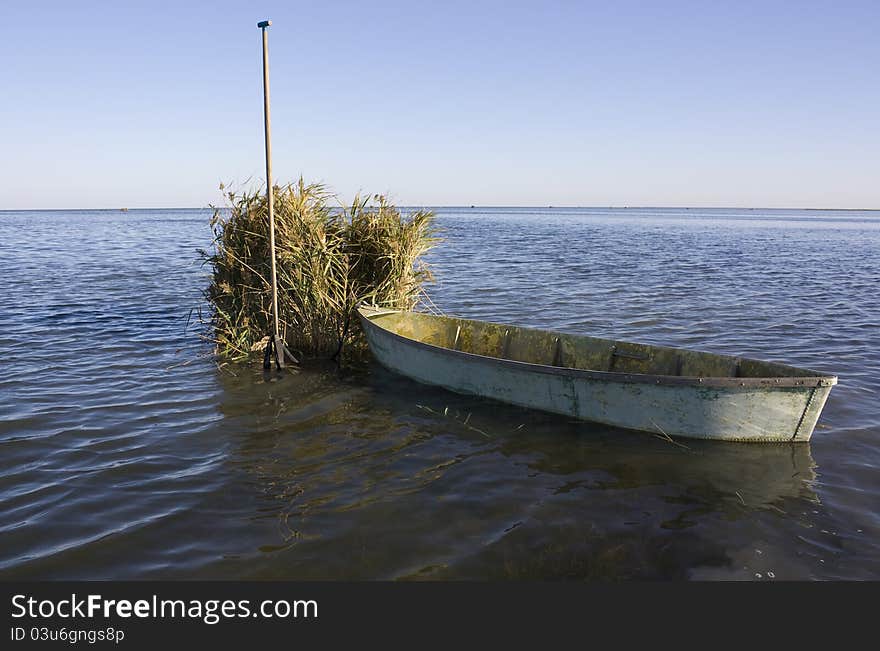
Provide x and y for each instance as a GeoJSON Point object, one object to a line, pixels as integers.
{"type": "Point", "coordinates": [153, 104]}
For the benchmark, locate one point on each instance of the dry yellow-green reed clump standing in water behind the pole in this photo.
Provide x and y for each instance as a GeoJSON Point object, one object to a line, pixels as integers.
{"type": "Point", "coordinates": [328, 260]}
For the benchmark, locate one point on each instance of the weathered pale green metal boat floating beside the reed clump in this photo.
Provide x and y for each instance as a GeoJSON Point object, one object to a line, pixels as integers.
{"type": "Point", "coordinates": [671, 392]}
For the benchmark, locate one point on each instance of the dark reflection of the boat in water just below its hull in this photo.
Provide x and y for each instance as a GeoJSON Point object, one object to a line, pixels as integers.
{"type": "Point", "coordinates": [753, 476]}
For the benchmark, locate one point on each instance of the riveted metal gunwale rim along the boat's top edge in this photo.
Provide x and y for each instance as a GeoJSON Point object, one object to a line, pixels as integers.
{"type": "Point", "coordinates": [805, 382]}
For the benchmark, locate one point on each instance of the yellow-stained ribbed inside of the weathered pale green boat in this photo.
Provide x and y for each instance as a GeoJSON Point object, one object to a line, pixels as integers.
{"type": "Point", "coordinates": [572, 351]}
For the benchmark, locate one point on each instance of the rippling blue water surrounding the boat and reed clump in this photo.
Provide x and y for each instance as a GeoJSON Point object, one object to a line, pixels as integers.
{"type": "Point", "coordinates": [125, 452]}
